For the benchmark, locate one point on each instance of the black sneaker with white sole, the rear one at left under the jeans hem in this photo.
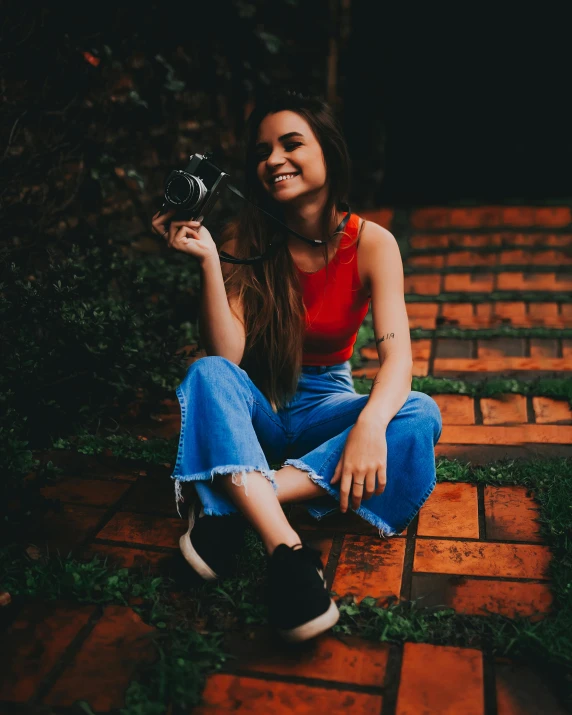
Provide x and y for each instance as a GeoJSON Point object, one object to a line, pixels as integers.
{"type": "Point", "coordinates": [215, 542]}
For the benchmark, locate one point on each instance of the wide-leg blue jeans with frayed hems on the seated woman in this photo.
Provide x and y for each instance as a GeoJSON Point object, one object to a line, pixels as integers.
{"type": "Point", "coordinates": [228, 427]}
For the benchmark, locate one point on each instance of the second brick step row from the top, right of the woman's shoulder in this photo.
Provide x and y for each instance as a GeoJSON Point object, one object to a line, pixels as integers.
{"type": "Point", "coordinates": [421, 242]}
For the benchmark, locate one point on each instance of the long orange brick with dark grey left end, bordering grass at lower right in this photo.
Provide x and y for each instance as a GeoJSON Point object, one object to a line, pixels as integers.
{"type": "Point", "coordinates": [479, 597]}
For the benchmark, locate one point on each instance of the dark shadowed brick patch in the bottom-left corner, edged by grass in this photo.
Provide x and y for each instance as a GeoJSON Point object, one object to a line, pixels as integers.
{"type": "Point", "coordinates": [44, 636]}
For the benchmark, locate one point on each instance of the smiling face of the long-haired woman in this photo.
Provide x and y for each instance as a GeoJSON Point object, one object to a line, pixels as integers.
{"type": "Point", "coordinates": [290, 161]}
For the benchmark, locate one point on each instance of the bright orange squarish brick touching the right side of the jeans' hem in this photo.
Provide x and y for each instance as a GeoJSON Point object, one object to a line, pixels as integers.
{"type": "Point", "coordinates": [451, 510]}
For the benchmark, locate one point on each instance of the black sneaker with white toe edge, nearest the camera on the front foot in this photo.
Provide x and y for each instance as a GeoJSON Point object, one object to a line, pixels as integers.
{"type": "Point", "coordinates": [299, 605]}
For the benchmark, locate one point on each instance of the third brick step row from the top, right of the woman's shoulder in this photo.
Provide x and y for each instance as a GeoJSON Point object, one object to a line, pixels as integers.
{"type": "Point", "coordinates": [515, 257]}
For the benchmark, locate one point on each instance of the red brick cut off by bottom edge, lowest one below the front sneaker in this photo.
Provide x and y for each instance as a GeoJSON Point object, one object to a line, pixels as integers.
{"type": "Point", "coordinates": [237, 694]}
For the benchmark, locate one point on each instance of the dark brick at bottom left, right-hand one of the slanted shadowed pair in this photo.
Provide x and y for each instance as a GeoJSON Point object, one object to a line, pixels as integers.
{"type": "Point", "coordinates": [104, 666]}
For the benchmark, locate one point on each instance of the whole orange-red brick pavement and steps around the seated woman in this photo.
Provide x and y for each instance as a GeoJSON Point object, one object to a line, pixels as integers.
{"type": "Point", "coordinates": [475, 549]}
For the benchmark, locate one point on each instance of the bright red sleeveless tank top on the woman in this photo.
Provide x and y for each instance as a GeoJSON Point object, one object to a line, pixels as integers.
{"type": "Point", "coordinates": [335, 308]}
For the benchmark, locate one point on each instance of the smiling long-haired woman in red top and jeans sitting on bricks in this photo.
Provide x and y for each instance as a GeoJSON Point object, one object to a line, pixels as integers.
{"type": "Point", "coordinates": [277, 380]}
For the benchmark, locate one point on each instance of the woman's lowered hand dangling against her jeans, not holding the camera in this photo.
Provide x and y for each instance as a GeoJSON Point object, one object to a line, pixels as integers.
{"type": "Point", "coordinates": [361, 470]}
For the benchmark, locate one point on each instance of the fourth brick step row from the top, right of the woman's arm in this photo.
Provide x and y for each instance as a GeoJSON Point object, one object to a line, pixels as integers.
{"type": "Point", "coordinates": [435, 284]}
